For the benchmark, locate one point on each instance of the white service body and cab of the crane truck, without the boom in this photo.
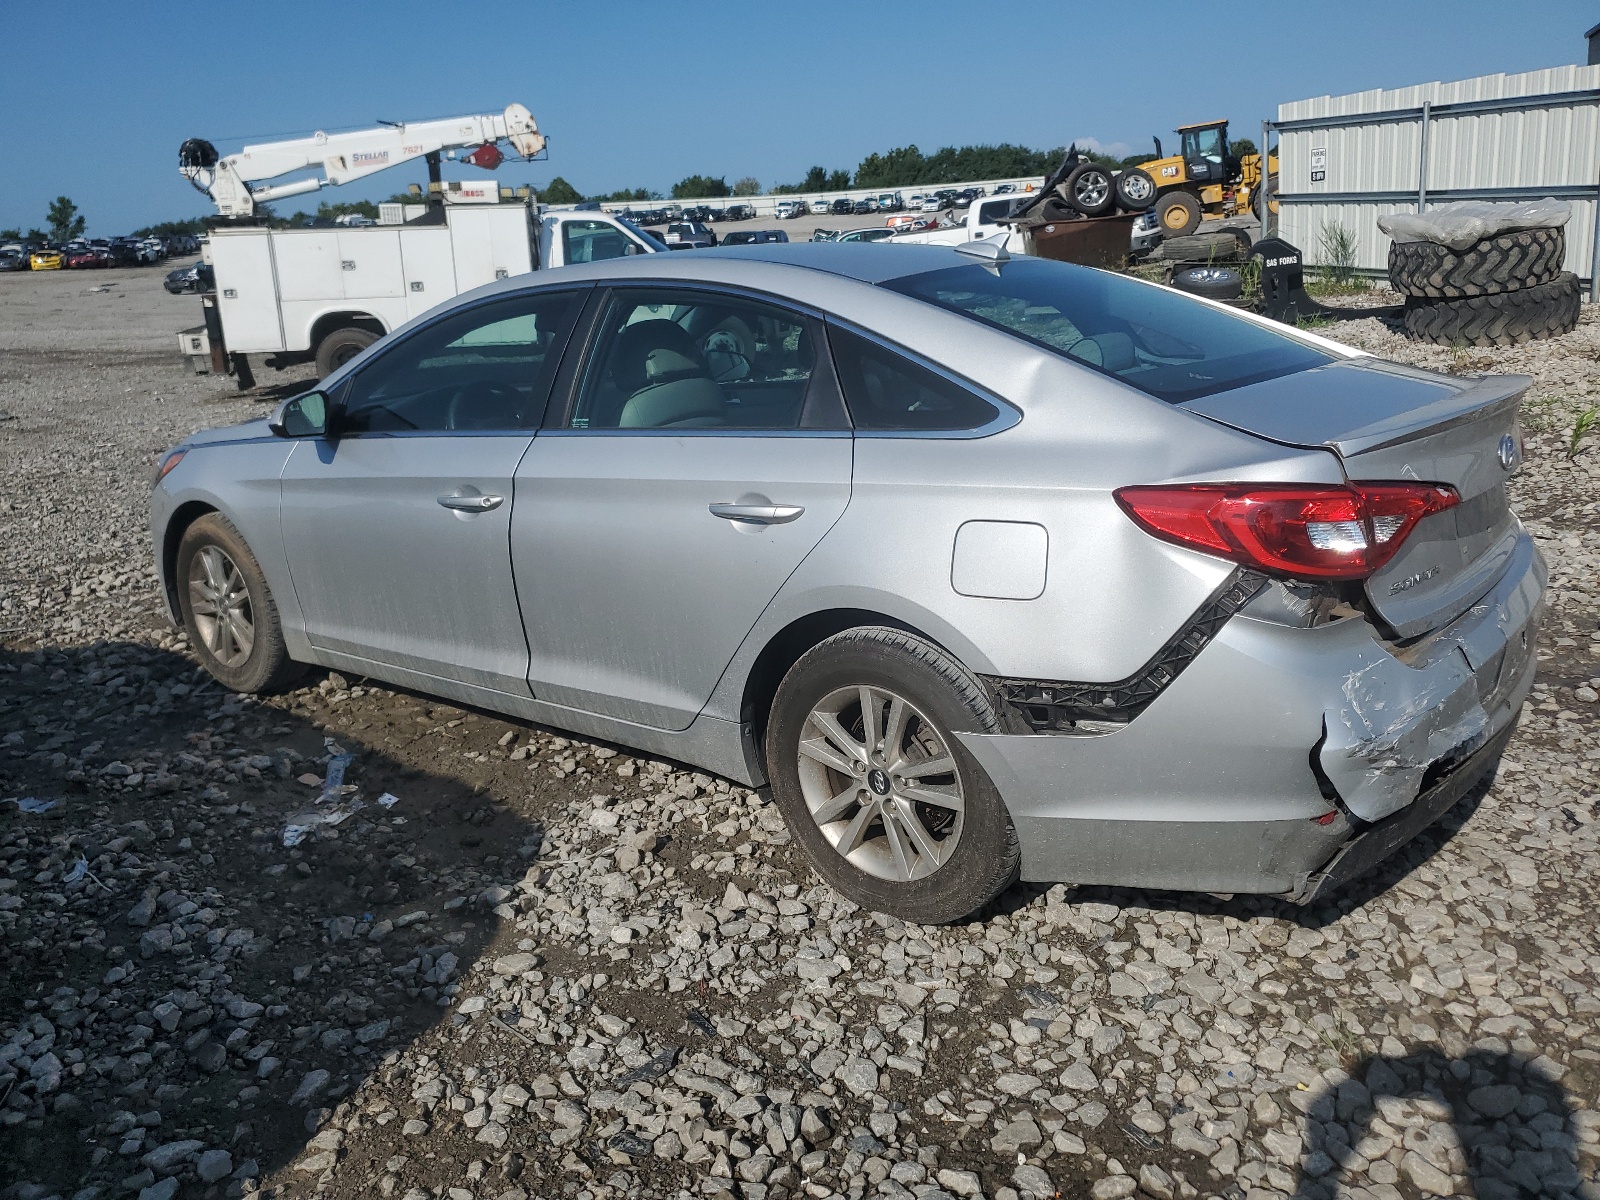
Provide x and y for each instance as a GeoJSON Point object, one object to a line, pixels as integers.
{"type": "Point", "coordinates": [324, 295]}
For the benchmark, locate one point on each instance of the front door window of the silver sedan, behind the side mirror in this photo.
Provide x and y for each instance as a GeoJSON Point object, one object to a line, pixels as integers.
{"type": "Point", "coordinates": [482, 369]}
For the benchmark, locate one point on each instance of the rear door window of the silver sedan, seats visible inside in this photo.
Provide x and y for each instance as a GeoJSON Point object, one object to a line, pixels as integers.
{"type": "Point", "coordinates": [689, 361]}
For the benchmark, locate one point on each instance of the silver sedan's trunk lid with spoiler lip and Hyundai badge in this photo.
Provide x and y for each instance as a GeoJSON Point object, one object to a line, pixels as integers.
{"type": "Point", "coordinates": [1399, 423]}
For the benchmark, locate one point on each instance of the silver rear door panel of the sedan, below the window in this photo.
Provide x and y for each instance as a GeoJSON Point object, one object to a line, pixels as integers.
{"type": "Point", "coordinates": [634, 594]}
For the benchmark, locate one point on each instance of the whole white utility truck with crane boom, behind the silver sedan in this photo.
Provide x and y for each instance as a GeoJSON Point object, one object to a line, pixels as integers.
{"type": "Point", "coordinates": [326, 294]}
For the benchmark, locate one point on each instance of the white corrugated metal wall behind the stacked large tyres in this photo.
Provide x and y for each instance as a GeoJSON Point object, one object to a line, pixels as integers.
{"type": "Point", "coordinates": [1375, 167]}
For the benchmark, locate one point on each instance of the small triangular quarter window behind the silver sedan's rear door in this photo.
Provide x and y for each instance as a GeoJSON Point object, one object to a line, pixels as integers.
{"type": "Point", "coordinates": [887, 391]}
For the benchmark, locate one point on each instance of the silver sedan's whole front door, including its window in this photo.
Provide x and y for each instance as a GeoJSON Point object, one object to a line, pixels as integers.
{"type": "Point", "coordinates": [398, 524]}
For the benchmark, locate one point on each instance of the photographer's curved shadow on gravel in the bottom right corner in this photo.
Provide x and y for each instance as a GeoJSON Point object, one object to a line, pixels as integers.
{"type": "Point", "coordinates": [1500, 1119]}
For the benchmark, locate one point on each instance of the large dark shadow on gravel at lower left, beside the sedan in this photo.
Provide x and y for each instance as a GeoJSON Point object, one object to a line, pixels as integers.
{"type": "Point", "coordinates": [185, 998]}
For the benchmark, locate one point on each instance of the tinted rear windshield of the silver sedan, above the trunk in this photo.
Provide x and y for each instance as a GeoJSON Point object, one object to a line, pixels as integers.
{"type": "Point", "coordinates": [1151, 338]}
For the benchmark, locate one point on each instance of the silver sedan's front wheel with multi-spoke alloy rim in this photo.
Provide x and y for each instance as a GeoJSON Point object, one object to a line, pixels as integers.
{"type": "Point", "coordinates": [228, 610]}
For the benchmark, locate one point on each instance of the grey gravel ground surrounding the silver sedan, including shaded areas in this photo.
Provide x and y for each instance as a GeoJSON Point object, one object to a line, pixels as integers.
{"type": "Point", "coordinates": [534, 966]}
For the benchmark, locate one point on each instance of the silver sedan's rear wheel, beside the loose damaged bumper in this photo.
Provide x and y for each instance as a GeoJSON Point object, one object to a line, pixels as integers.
{"type": "Point", "coordinates": [866, 769]}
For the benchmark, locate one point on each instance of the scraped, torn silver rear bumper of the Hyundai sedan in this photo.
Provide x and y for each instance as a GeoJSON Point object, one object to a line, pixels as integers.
{"type": "Point", "coordinates": [1284, 761]}
